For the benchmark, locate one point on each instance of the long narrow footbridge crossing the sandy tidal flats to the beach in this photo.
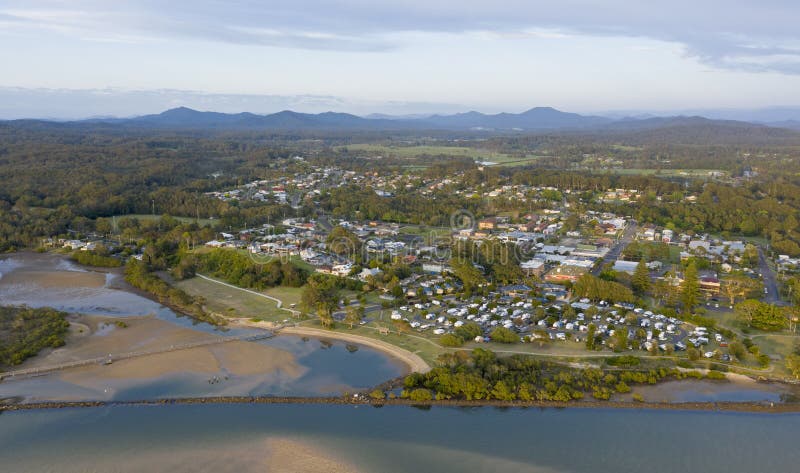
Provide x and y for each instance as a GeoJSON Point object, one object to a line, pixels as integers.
{"type": "Point", "coordinates": [112, 357]}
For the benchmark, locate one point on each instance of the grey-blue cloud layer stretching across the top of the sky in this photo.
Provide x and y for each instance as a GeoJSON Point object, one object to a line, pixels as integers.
{"type": "Point", "coordinates": [750, 35]}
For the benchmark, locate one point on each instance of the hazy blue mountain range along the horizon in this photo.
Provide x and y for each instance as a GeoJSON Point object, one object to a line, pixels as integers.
{"type": "Point", "coordinates": [680, 129]}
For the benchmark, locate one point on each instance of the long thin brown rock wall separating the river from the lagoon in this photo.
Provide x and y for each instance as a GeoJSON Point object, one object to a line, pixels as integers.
{"type": "Point", "coordinates": [737, 407]}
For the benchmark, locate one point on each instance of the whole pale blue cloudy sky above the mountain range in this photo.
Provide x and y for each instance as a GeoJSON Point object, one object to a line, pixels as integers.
{"type": "Point", "coordinates": [74, 58]}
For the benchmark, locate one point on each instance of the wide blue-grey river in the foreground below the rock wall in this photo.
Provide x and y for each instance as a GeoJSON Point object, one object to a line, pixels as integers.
{"type": "Point", "coordinates": [402, 439]}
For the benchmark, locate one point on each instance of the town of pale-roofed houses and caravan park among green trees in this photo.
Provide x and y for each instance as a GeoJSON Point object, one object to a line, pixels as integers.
{"type": "Point", "coordinates": [561, 271]}
